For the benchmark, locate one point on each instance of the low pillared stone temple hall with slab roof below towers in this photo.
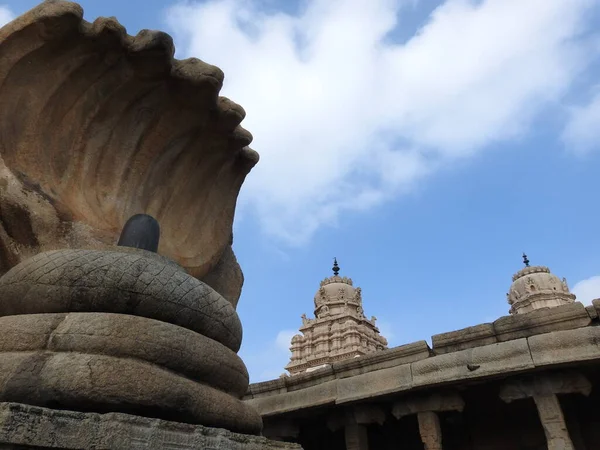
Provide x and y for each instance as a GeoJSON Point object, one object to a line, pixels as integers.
{"type": "Point", "coordinates": [525, 382]}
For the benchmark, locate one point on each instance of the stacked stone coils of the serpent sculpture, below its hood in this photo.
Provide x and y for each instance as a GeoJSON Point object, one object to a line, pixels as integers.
{"type": "Point", "coordinates": [122, 330]}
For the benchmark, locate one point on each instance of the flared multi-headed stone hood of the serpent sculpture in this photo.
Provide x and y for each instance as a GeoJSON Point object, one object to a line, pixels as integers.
{"type": "Point", "coordinates": [97, 126]}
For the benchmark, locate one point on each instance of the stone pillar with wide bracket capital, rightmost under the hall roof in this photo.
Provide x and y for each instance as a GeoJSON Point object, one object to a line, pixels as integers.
{"type": "Point", "coordinates": [543, 390]}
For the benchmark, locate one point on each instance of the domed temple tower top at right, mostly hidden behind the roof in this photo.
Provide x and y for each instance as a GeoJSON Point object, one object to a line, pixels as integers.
{"type": "Point", "coordinates": [534, 287]}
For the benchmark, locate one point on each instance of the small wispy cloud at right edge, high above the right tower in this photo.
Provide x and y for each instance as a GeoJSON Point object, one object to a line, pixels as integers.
{"type": "Point", "coordinates": [582, 133]}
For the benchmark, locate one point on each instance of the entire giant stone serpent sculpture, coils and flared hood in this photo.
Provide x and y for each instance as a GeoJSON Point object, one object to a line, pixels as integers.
{"type": "Point", "coordinates": [97, 126]}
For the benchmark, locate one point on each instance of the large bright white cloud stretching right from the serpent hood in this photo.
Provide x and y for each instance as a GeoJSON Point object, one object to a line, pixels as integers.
{"type": "Point", "coordinates": [344, 118]}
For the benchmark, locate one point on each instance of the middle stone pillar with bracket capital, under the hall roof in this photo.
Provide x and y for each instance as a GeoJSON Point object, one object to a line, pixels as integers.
{"type": "Point", "coordinates": [426, 408]}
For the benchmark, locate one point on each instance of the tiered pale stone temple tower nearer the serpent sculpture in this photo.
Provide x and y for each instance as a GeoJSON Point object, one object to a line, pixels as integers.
{"type": "Point", "coordinates": [339, 330]}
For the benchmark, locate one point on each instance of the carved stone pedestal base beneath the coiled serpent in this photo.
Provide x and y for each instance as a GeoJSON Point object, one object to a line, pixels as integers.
{"type": "Point", "coordinates": [31, 427]}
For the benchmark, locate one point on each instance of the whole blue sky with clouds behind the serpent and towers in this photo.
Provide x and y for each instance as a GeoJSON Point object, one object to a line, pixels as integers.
{"type": "Point", "coordinates": [425, 144]}
